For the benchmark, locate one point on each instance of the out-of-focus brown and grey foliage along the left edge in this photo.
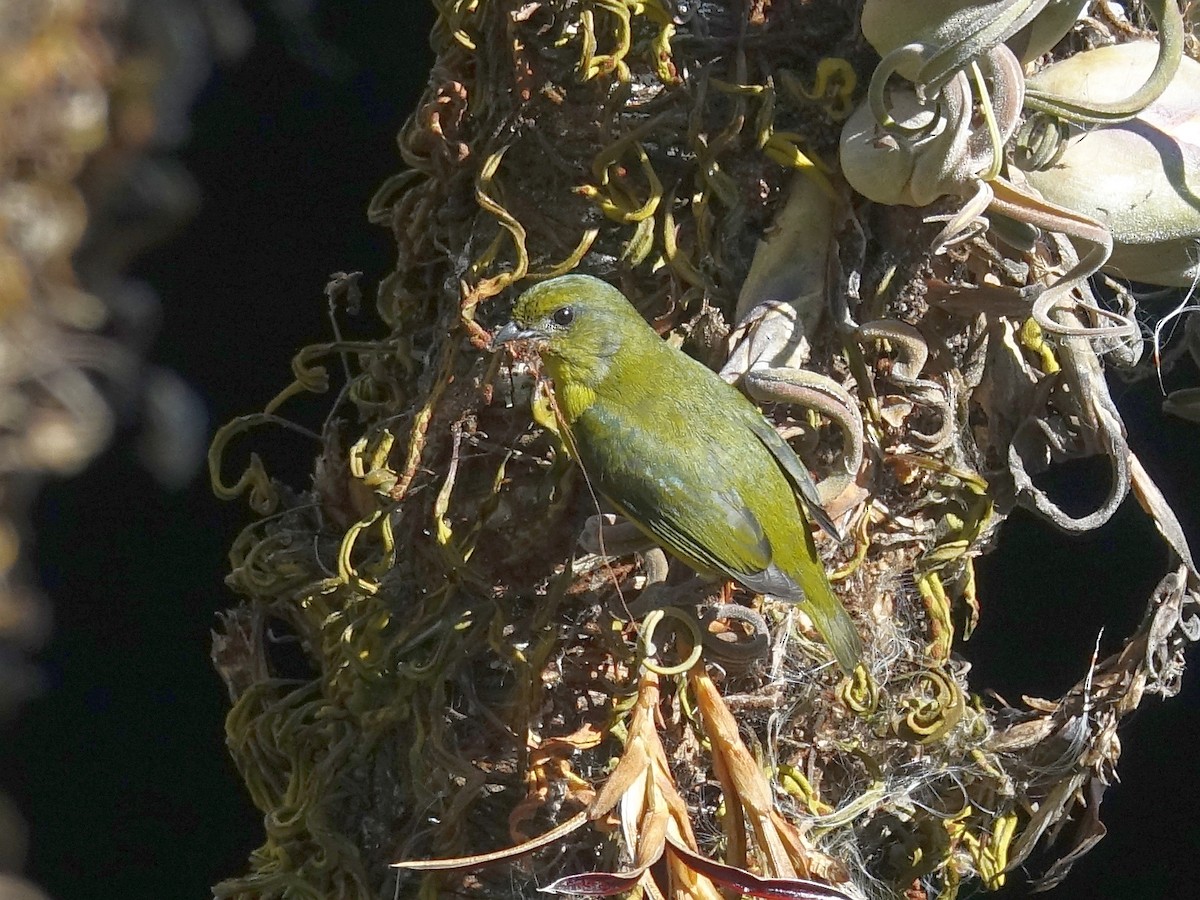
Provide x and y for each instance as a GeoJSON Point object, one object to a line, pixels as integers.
{"type": "Point", "coordinates": [93, 99]}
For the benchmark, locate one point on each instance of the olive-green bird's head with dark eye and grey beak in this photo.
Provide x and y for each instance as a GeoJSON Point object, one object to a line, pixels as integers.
{"type": "Point", "coordinates": [575, 321]}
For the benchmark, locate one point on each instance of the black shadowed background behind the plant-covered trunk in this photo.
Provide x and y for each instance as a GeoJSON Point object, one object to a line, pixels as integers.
{"type": "Point", "coordinates": [121, 766]}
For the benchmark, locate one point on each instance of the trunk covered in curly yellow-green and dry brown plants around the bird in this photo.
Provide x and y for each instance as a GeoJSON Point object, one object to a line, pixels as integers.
{"type": "Point", "coordinates": [427, 665]}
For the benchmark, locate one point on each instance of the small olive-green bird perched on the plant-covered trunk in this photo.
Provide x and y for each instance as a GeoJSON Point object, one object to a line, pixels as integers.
{"type": "Point", "coordinates": [679, 452]}
